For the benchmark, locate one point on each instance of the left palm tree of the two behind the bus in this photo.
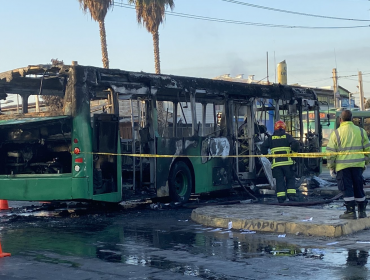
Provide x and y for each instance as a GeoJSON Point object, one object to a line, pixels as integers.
{"type": "Point", "coordinates": [98, 10]}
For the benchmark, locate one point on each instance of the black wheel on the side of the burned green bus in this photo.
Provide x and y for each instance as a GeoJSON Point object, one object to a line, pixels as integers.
{"type": "Point", "coordinates": [180, 182]}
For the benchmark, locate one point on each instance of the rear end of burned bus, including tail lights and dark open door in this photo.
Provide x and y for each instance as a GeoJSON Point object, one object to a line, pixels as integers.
{"type": "Point", "coordinates": [60, 153]}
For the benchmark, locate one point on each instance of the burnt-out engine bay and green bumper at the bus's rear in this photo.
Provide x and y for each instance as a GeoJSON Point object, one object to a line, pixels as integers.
{"type": "Point", "coordinates": [36, 160]}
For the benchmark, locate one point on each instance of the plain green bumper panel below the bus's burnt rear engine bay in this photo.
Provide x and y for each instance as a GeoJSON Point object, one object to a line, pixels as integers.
{"type": "Point", "coordinates": [38, 188]}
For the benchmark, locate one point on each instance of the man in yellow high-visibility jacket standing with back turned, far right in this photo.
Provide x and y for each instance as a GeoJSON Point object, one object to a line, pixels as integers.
{"type": "Point", "coordinates": [347, 168]}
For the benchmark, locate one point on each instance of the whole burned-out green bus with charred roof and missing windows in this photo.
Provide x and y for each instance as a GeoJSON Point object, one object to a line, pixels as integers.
{"type": "Point", "coordinates": [121, 132]}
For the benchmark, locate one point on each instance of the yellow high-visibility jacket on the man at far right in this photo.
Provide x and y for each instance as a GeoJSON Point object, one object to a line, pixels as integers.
{"type": "Point", "coordinates": [348, 138]}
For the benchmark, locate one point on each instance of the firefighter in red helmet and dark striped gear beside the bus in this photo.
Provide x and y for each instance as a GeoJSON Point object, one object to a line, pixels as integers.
{"type": "Point", "coordinates": [282, 167]}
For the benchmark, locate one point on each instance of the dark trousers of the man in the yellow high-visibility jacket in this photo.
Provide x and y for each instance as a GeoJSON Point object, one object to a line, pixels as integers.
{"type": "Point", "coordinates": [351, 183]}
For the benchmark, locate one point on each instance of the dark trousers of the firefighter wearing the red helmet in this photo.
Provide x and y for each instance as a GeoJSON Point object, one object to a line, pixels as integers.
{"type": "Point", "coordinates": [285, 179]}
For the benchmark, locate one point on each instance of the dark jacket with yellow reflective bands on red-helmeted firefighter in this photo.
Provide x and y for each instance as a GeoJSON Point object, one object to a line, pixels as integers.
{"type": "Point", "coordinates": [279, 143]}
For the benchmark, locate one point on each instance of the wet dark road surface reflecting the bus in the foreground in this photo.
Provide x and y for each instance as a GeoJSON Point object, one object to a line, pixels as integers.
{"type": "Point", "coordinates": [166, 244]}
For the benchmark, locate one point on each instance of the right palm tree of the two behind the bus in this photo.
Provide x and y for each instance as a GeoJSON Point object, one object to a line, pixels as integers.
{"type": "Point", "coordinates": [151, 14]}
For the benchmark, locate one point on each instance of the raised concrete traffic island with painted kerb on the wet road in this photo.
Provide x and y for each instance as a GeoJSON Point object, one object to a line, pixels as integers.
{"type": "Point", "coordinates": [279, 219]}
